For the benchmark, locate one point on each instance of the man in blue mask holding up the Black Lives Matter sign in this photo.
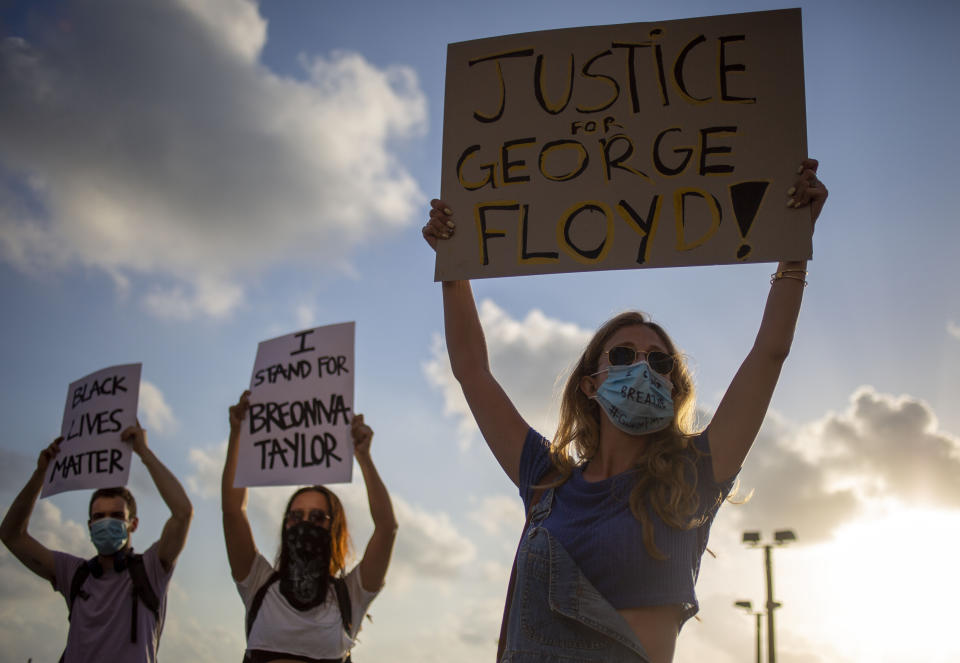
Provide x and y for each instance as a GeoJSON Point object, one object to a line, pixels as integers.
{"type": "Point", "coordinates": [117, 600]}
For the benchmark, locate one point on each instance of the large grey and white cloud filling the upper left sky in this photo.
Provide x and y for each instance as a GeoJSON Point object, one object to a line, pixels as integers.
{"type": "Point", "coordinates": [184, 159]}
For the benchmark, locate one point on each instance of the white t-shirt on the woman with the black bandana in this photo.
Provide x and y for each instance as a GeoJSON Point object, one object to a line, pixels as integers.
{"type": "Point", "coordinates": [317, 632]}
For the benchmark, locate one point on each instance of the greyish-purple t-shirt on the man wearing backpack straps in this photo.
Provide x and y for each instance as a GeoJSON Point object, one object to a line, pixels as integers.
{"type": "Point", "coordinates": [100, 624]}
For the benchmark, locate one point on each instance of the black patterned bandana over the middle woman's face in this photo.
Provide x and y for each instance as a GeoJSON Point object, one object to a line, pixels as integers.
{"type": "Point", "coordinates": [305, 565]}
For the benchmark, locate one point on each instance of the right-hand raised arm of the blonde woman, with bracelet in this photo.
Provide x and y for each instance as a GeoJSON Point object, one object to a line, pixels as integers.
{"type": "Point", "coordinates": [744, 405]}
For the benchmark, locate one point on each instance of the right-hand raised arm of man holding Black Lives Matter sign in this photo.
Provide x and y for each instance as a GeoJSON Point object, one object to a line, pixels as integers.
{"type": "Point", "coordinates": [174, 535]}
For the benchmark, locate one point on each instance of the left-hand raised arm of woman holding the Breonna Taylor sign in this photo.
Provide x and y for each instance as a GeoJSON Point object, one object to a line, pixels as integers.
{"type": "Point", "coordinates": [241, 549]}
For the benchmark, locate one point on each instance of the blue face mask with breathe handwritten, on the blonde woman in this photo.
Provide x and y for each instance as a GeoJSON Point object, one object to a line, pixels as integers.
{"type": "Point", "coordinates": [637, 400]}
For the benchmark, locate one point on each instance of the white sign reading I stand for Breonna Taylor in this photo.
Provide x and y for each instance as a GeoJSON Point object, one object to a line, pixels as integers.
{"type": "Point", "coordinates": [297, 430]}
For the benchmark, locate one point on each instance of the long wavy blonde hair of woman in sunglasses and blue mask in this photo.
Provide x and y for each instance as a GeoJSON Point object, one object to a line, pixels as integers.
{"type": "Point", "coordinates": [663, 469]}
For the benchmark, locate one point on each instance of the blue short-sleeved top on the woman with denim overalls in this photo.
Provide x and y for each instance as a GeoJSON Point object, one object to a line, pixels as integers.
{"type": "Point", "coordinates": [594, 524]}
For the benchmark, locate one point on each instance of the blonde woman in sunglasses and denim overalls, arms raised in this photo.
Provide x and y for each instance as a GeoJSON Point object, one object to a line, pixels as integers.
{"type": "Point", "coordinates": [619, 504]}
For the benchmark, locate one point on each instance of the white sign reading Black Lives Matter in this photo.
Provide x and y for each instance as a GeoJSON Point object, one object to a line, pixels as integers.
{"type": "Point", "coordinates": [99, 408]}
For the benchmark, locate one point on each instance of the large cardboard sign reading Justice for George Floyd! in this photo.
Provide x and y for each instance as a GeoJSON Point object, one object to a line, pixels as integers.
{"type": "Point", "coordinates": [625, 146]}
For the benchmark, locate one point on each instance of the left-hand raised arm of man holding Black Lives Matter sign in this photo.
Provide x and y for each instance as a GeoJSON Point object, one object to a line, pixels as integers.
{"type": "Point", "coordinates": [13, 531]}
